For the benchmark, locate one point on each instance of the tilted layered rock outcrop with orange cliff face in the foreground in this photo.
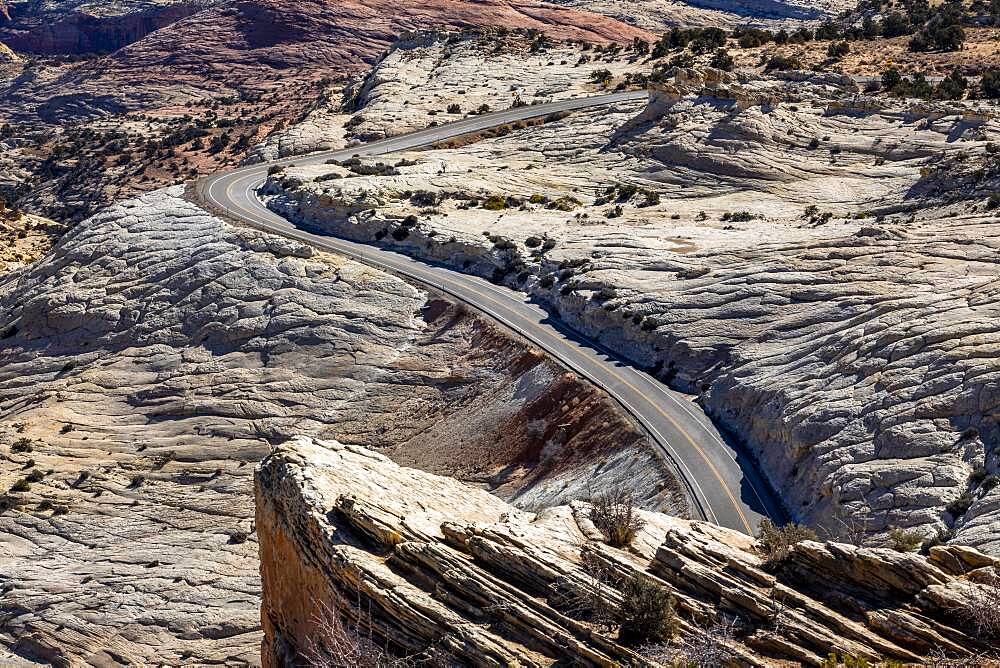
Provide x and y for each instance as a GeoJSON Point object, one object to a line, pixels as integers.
{"type": "Point", "coordinates": [423, 561]}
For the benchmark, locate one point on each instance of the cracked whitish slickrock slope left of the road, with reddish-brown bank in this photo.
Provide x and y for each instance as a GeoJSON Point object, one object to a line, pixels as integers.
{"type": "Point", "coordinates": [155, 352]}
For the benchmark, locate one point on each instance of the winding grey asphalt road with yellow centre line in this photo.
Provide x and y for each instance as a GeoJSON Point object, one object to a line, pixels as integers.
{"type": "Point", "coordinates": [723, 484]}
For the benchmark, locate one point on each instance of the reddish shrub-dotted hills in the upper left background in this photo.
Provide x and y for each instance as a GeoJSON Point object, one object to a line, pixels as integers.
{"type": "Point", "coordinates": [181, 74]}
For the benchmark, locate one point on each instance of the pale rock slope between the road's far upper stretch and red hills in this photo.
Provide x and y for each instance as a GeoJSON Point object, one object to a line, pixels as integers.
{"type": "Point", "coordinates": [423, 76]}
